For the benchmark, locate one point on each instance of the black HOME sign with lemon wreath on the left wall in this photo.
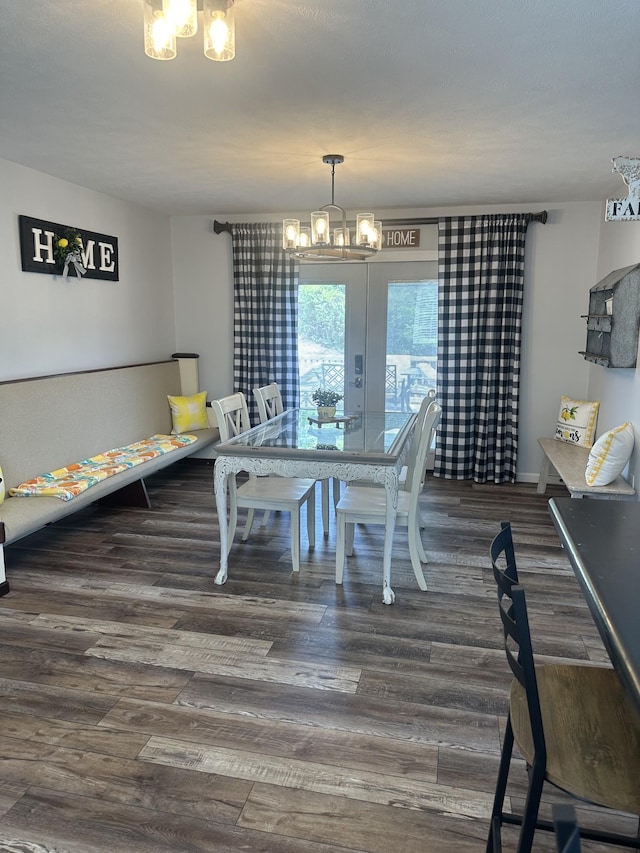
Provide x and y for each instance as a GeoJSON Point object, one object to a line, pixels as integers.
{"type": "Point", "coordinates": [39, 242]}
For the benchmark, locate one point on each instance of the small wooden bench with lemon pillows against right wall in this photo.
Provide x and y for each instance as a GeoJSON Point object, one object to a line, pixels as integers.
{"type": "Point", "coordinates": [570, 462]}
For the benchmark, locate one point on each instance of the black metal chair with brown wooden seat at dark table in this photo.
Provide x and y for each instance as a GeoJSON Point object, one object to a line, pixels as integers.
{"type": "Point", "coordinates": [574, 725]}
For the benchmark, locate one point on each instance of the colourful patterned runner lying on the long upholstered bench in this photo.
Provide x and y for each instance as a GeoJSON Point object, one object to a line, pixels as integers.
{"type": "Point", "coordinates": [66, 483]}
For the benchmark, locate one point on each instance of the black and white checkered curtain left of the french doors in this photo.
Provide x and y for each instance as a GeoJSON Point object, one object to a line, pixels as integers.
{"type": "Point", "coordinates": [265, 315]}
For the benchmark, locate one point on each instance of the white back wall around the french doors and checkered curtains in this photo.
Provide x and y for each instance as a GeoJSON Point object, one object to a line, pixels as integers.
{"type": "Point", "coordinates": [560, 263]}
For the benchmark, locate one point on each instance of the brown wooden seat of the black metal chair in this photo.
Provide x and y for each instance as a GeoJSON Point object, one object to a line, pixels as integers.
{"type": "Point", "coordinates": [592, 734]}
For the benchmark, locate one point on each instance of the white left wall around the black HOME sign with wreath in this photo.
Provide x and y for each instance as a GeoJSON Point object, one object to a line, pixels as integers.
{"type": "Point", "coordinates": [49, 325]}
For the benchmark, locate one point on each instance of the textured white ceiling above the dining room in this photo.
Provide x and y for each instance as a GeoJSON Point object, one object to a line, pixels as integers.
{"type": "Point", "coordinates": [432, 103]}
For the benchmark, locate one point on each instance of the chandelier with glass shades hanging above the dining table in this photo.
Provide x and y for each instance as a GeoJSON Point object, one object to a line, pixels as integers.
{"type": "Point", "coordinates": [319, 243]}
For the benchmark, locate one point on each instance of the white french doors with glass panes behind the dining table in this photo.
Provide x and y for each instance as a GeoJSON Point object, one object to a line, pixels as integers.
{"type": "Point", "coordinates": [368, 331]}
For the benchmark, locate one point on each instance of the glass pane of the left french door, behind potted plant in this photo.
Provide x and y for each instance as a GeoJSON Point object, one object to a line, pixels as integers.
{"type": "Point", "coordinates": [321, 336]}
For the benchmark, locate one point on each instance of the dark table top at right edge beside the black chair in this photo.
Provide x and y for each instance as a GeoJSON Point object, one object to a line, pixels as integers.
{"type": "Point", "coordinates": [602, 540]}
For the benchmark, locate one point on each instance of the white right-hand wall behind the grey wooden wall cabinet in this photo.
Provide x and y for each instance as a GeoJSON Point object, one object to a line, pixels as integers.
{"type": "Point", "coordinates": [618, 389]}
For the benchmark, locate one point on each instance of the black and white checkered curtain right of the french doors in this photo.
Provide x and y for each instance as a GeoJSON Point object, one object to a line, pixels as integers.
{"type": "Point", "coordinates": [481, 275]}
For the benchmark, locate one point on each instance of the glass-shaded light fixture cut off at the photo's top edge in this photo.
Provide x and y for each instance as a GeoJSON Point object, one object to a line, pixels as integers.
{"type": "Point", "coordinates": [167, 20]}
